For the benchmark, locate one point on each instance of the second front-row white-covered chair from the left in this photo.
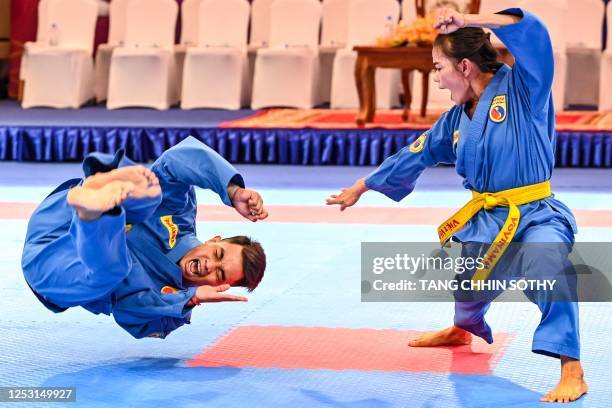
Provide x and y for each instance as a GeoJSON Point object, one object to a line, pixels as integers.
{"type": "Point", "coordinates": [143, 72]}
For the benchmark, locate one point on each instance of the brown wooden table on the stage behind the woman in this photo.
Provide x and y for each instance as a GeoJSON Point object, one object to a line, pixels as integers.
{"type": "Point", "coordinates": [406, 59]}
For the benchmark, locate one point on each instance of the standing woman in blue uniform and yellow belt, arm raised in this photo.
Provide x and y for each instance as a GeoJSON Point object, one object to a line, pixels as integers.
{"type": "Point", "coordinates": [500, 136]}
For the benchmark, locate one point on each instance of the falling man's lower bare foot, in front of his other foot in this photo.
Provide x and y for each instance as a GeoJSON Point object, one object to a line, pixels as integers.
{"type": "Point", "coordinates": [90, 204]}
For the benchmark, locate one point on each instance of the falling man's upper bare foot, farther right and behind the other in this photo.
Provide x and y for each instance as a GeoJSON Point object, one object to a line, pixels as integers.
{"type": "Point", "coordinates": [144, 180]}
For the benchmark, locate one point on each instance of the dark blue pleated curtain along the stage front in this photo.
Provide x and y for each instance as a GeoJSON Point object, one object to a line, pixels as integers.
{"type": "Point", "coordinates": [273, 146]}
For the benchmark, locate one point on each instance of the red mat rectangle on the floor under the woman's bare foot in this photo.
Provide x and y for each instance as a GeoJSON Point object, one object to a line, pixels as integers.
{"type": "Point", "coordinates": [319, 348]}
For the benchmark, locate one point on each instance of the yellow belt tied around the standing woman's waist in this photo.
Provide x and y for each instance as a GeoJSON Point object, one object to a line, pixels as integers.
{"type": "Point", "coordinates": [508, 198]}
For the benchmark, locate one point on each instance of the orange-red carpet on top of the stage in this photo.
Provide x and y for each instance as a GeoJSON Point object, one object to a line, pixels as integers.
{"type": "Point", "coordinates": [391, 119]}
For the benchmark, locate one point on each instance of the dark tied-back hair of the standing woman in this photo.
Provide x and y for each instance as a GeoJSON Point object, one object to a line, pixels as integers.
{"type": "Point", "coordinates": [471, 43]}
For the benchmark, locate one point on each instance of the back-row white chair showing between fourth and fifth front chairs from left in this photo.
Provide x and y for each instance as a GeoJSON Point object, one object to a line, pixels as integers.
{"type": "Point", "coordinates": [334, 35]}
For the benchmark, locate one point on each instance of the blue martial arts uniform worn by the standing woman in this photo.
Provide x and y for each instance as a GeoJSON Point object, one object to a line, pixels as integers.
{"type": "Point", "coordinates": [508, 143]}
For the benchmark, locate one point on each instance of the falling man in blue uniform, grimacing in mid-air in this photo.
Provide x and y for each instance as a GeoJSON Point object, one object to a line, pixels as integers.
{"type": "Point", "coordinates": [123, 240]}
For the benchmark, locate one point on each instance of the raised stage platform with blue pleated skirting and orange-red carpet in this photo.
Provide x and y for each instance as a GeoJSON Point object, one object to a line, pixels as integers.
{"type": "Point", "coordinates": [281, 136]}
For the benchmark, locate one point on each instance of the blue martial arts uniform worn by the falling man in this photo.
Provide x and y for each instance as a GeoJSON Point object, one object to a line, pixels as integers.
{"type": "Point", "coordinates": [119, 263]}
